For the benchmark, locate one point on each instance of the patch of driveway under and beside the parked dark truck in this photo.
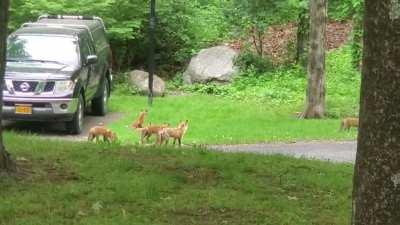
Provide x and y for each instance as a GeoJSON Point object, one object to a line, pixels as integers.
{"type": "Point", "coordinates": [57, 130]}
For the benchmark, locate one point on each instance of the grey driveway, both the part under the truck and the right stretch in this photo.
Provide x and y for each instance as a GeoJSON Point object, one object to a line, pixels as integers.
{"type": "Point", "coordinates": [344, 151]}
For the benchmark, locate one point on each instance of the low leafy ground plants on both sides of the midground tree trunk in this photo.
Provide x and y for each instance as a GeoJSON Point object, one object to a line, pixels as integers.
{"type": "Point", "coordinates": [287, 85]}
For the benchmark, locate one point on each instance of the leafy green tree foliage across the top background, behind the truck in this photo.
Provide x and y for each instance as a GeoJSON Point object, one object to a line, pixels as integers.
{"type": "Point", "coordinates": [184, 26]}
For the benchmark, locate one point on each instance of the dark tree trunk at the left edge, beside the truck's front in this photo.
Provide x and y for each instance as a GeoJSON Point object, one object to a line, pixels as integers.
{"type": "Point", "coordinates": [6, 164]}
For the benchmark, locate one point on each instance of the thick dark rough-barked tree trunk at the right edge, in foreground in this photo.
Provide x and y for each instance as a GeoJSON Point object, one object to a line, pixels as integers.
{"type": "Point", "coordinates": [376, 193]}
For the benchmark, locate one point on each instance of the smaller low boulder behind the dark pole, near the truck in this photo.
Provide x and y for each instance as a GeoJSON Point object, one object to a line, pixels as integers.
{"type": "Point", "coordinates": [140, 80]}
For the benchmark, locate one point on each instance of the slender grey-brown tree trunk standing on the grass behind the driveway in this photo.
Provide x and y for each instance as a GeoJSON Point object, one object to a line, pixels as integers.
{"type": "Point", "coordinates": [315, 105]}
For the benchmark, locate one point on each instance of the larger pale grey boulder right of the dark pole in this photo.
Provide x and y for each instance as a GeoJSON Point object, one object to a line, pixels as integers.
{"type": "Point", "coordinates": [212, 64]}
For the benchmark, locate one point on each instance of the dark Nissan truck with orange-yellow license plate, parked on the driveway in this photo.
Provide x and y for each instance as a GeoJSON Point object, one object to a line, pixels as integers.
{"type": "Point", "coordinates": [55, 68]}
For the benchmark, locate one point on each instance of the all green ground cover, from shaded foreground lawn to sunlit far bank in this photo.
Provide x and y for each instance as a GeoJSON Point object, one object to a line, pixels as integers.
{"type": "Point", "coordinates": [84, 183]}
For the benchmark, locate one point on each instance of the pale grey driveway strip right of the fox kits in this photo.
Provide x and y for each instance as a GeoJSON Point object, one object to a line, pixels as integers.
{"type": "Point", "coordinates": [321, 150]}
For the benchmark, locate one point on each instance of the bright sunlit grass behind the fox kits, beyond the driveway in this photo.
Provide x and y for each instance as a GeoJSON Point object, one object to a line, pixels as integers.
{"type": "Point", "coordinates": [217, 120]}
